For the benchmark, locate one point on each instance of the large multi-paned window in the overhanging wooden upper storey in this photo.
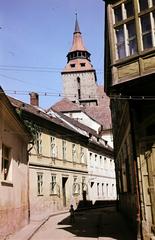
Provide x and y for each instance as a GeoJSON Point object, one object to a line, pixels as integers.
{"type": "Point", "coordinates": [126, 19]}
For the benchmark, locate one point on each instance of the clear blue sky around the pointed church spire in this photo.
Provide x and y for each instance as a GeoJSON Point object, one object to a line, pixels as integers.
{"type": "Point", "coordinates": [35, 37]}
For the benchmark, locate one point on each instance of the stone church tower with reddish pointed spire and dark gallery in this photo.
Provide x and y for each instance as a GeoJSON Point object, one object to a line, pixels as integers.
{"type": "Point", "coordinates": [79, 76]}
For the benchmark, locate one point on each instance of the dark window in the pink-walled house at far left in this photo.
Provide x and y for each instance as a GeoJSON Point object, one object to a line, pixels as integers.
{"type": "Point", "coordinates": [5, 161]}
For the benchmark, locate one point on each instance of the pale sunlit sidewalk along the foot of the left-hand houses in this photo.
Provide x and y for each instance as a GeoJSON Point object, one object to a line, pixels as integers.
{"type": "Point", "coordinates": [29, 230]}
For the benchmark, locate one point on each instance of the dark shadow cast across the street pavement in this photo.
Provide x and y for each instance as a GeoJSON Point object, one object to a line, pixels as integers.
{"type": "Point", "coordinates": [102, 222]}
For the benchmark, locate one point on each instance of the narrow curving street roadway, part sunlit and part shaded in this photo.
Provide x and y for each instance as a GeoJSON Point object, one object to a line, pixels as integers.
{"type": "Point", "coordinates": [101, 224]}
